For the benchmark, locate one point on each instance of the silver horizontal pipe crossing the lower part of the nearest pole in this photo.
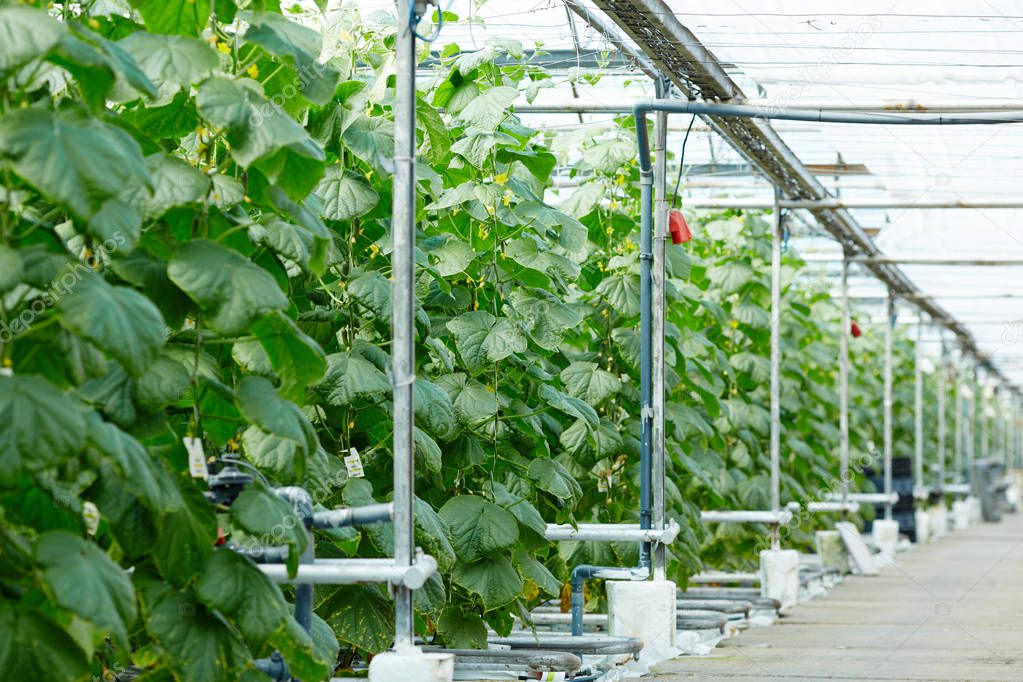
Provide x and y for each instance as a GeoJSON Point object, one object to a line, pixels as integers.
{"type": "Point", "coordinates": [357, 571]}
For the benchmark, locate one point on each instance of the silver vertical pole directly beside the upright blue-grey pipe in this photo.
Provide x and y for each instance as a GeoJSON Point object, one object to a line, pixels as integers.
{"type": "Point", "coordinates": [660, 238]}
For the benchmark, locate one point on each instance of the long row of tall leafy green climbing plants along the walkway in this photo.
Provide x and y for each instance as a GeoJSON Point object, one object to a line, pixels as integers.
{"type": "Point", "coordinates": [195, 245]}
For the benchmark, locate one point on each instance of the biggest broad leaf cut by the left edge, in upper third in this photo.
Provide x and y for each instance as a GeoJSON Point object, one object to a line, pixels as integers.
{"type": "Point", "coordinates": [74, 160]}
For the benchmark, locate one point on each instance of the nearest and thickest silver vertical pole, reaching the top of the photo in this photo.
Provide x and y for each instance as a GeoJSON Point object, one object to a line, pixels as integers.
{"type": "Point", "coordinates": [404, 315]}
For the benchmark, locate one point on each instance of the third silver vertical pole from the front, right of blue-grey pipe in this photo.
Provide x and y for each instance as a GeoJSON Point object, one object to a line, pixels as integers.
{"type": "Point", "coordinates": [776, 366]}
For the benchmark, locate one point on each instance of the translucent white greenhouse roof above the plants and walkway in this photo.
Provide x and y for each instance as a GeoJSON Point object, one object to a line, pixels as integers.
{"type": "Point", "coordinates": [858, 57]}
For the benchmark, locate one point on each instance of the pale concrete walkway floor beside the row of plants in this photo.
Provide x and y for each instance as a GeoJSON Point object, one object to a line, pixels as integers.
{"type": "Point", "coordinates": [949, 611]}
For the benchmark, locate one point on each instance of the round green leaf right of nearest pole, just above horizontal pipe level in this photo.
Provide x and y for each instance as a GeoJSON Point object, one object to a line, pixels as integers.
{"type": "Point", "coordinates": [478, 528]}
